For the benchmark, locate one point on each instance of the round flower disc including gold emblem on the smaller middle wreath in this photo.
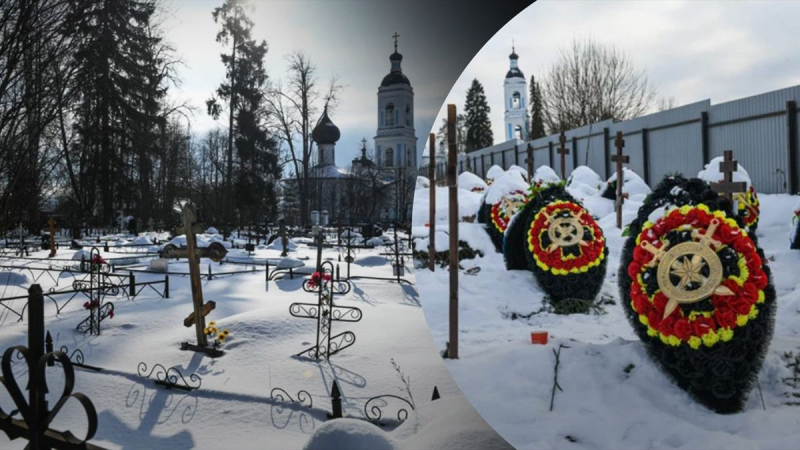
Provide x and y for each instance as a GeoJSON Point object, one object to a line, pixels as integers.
{"type": "Point", "coordinates": [564, 239]}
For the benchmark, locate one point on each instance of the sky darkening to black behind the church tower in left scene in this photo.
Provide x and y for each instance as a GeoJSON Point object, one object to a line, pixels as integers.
{"type": "Point", "coordinates": [348, 39]}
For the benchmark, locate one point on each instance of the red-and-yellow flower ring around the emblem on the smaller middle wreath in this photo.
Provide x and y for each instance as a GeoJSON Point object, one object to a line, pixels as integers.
{"type": "Point", "coordinates": [556, 261]}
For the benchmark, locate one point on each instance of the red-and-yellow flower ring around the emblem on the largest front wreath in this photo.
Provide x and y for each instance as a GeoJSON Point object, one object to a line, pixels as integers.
{"type": "Point", "coordinates": [729, 311]}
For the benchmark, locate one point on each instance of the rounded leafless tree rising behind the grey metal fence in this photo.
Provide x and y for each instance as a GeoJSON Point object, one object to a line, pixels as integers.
{"type": "Point", "coordinates": [592, 82]}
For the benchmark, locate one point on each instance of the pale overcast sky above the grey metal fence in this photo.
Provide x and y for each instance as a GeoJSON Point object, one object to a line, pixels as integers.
{"type": "Point", "coordinates": [691, 50]}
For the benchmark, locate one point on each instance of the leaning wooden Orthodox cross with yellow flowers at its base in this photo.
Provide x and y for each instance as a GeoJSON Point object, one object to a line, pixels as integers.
{"type": "Point", "coordinates": [215, 252]}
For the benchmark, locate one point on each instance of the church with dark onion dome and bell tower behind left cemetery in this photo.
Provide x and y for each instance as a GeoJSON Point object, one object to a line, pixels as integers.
{"type": "Point", "coordinates": [376, 188]}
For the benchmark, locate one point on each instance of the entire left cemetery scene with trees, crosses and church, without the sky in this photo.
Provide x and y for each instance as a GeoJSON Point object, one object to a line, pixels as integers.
{"type": "Point", "coordinates": [167, 289]}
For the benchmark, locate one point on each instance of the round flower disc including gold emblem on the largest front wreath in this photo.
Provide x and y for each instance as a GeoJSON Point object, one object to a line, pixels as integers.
{"type": "Point", "coordinates": [696, 277]}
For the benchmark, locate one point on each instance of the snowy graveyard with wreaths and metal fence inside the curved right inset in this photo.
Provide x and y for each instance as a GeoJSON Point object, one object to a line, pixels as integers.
{"type": "Point", "coordinates": [659, 311]}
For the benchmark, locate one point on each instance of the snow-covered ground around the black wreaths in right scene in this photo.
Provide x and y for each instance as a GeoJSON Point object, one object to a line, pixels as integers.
{"type": "Point", "coordinates": [613, 394]}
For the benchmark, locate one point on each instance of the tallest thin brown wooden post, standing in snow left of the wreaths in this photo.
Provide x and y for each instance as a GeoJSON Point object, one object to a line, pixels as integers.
{"type": "Point", "coordinates": [452, 182]}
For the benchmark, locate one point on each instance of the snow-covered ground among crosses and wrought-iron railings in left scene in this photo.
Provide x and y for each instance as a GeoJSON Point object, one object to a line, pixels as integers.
{"type": "Point", "coordinates": [233, 407]}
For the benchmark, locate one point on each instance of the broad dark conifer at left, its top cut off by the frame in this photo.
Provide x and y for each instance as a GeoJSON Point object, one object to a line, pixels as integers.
{"type": "Point", "coordinates": [117, 101]}
